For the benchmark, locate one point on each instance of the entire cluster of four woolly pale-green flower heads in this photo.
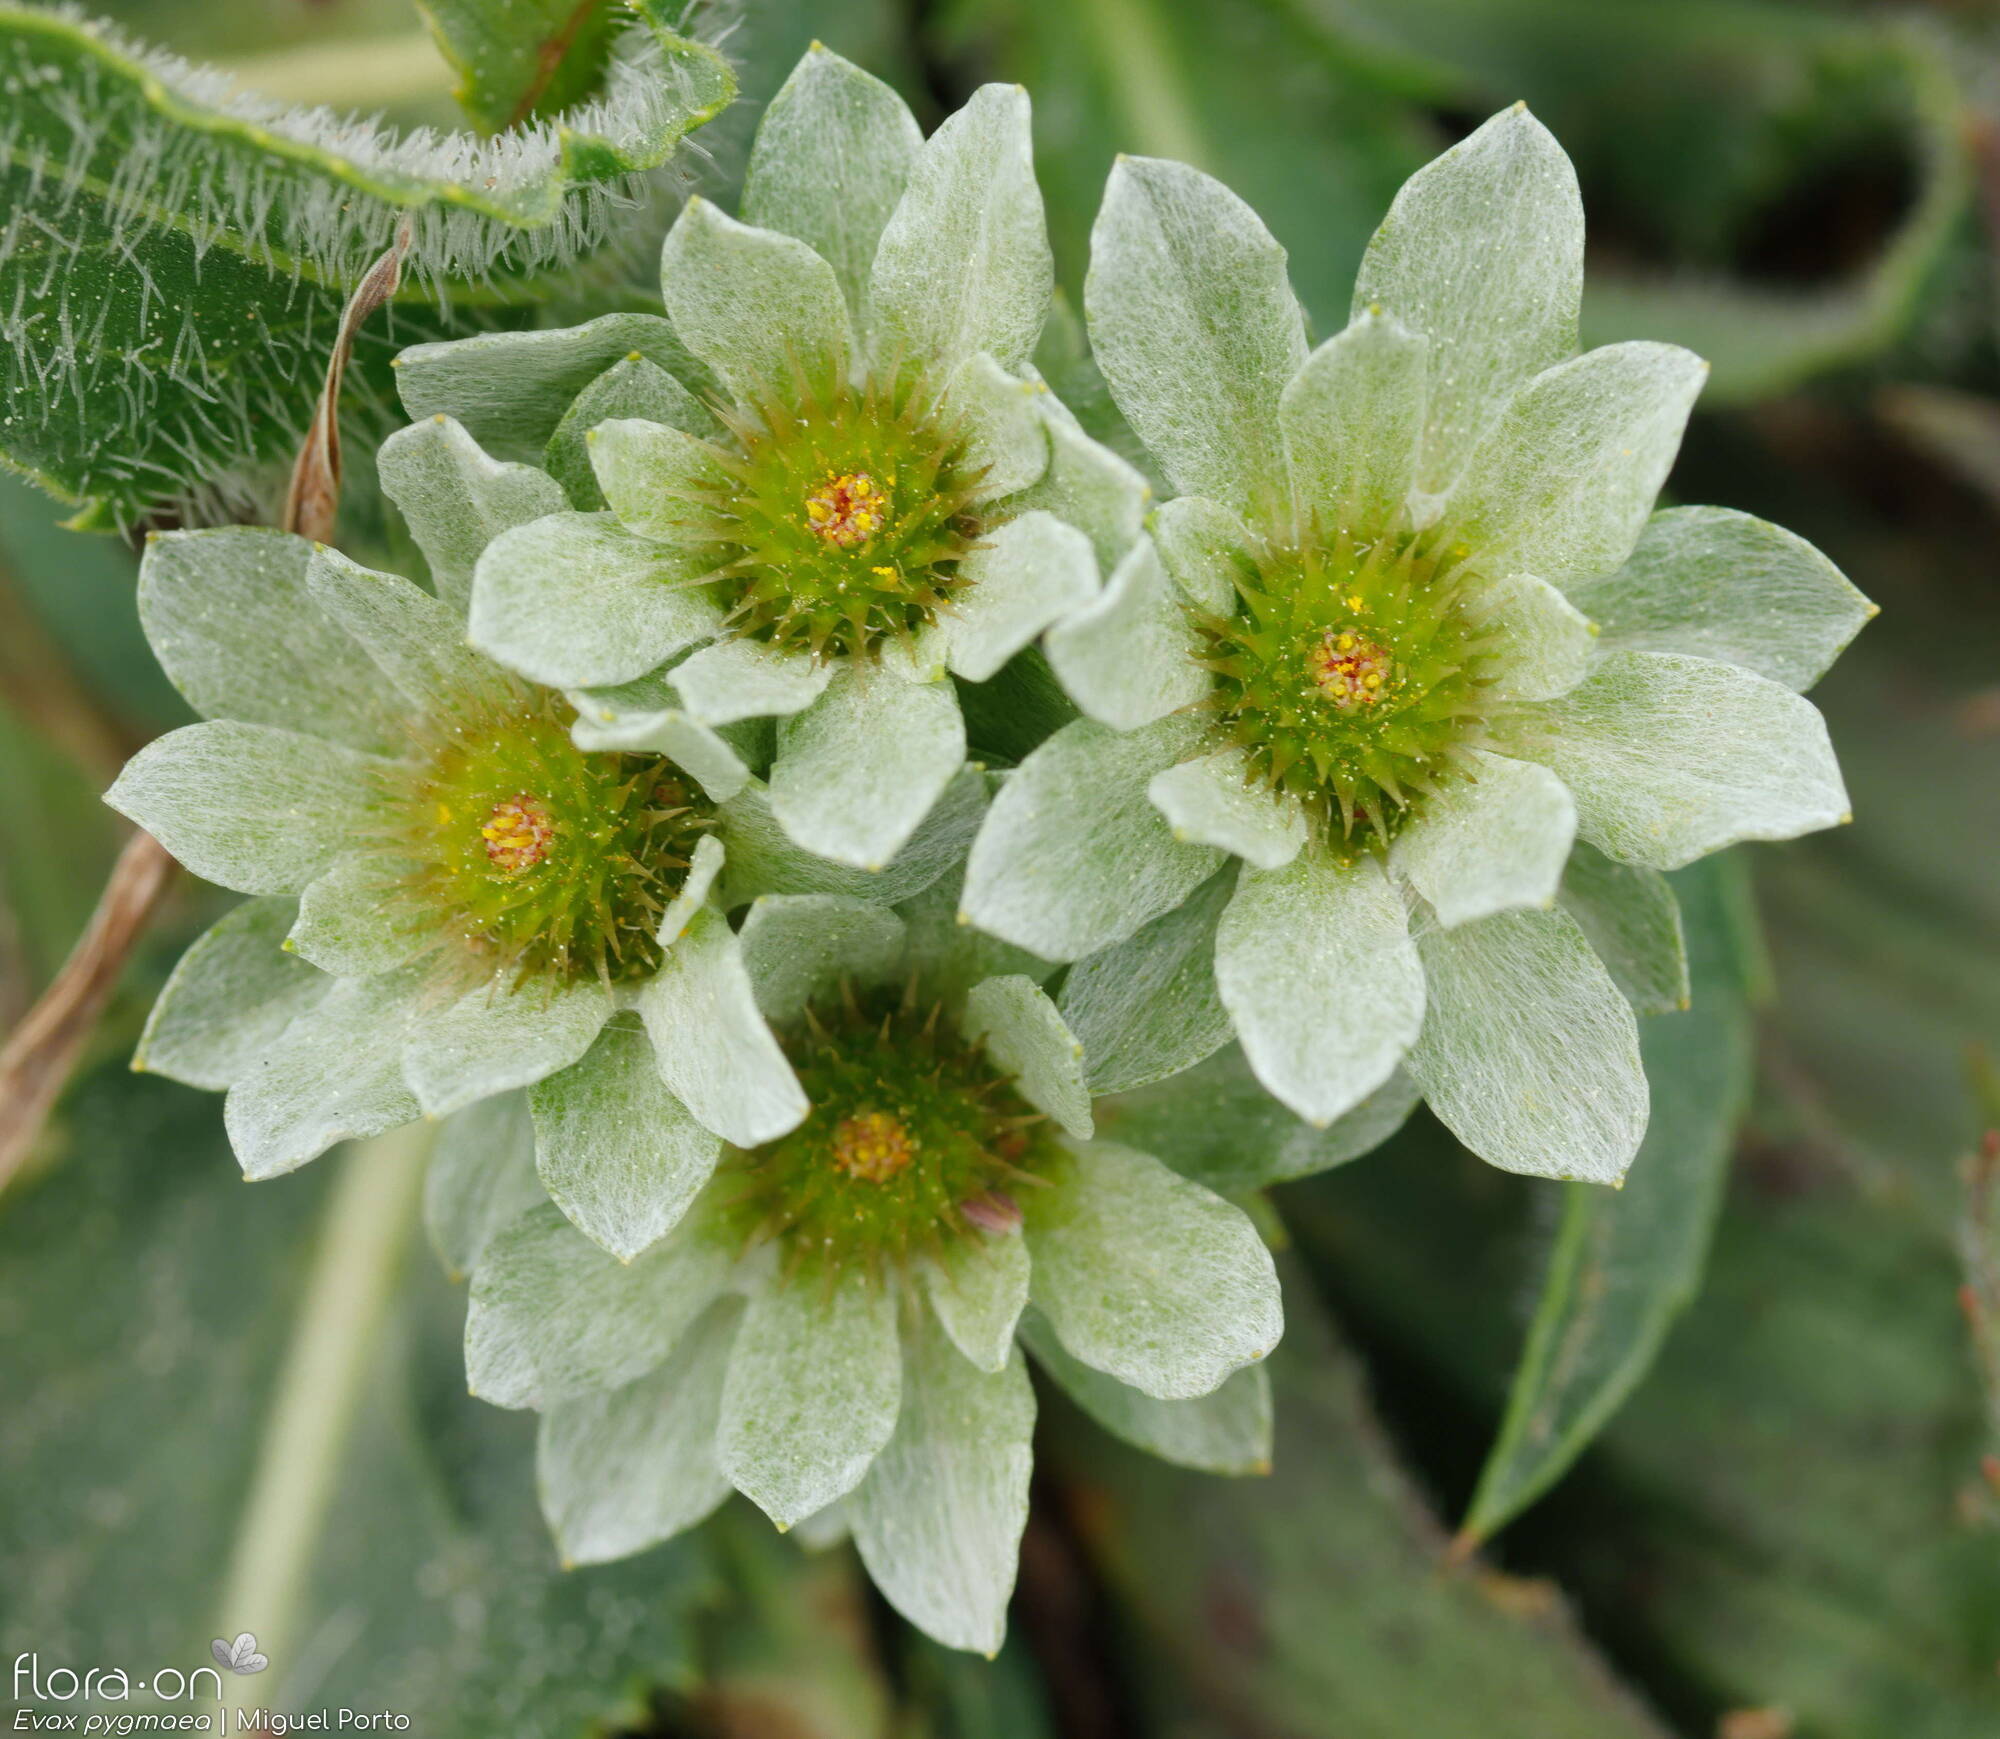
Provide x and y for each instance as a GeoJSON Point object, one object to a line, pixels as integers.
{"type": "Point", "coordinates": [797, 1046]}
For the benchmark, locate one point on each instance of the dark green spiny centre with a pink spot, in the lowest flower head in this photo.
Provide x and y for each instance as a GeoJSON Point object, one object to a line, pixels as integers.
{"type": "Point", "coordinates": [915, 1140]}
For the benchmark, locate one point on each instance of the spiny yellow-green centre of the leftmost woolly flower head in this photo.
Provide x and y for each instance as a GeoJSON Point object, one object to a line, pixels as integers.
{"type": "Point", "coordinates": [523, 855]}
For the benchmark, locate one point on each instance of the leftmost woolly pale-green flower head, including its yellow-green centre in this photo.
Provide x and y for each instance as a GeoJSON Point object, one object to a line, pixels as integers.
{"type": "Point", "coordinates": [451, 898]}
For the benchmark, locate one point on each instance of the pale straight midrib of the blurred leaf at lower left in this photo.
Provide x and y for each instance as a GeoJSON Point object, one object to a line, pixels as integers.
{"type": "Point", "coordinates": [319, 1392]}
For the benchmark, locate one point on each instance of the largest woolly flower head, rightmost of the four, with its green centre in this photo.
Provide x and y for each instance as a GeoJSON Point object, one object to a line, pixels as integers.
{"type": "Point", "coordinates": [1411, 667]}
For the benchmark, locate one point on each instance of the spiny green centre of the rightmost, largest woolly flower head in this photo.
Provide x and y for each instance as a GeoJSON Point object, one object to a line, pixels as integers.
{"type": "Point", "coordinates": [1353, 677]}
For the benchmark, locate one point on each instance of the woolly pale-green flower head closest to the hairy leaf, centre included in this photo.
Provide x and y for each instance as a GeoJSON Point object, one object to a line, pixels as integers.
{"type": "Point", "coordinates": [833, 449]}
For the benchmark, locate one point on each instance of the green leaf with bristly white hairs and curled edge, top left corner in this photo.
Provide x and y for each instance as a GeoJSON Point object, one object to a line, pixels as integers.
{"type": "Point", "coordinates": [175, 255]}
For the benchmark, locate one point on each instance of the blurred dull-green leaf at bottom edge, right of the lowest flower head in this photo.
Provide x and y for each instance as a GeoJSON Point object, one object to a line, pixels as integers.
{"type": "Point", "coordinates": [1315, 1600]}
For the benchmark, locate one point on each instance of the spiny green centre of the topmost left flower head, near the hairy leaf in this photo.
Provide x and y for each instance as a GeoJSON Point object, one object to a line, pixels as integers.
{"type": "Point", "coordinates": [847, 519]}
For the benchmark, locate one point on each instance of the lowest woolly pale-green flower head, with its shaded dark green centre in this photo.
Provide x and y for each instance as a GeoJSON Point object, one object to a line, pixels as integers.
{"type": "Point", "coordinates": [833, 1336]}
